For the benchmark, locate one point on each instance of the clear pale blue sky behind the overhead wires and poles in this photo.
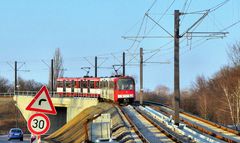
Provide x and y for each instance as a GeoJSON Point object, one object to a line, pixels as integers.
{"type": "Point", "coordinates": [30, 31]}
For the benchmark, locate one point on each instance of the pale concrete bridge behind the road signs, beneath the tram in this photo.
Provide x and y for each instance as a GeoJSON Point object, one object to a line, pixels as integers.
{"type": "Point", "coordinates": [67, 108]}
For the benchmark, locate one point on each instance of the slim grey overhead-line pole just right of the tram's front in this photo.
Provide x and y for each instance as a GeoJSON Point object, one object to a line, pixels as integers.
{"type": "Point", "coordinates": [141, 76]}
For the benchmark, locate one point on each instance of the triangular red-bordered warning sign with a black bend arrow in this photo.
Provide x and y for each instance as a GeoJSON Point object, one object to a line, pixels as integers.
{"type": "Point", "coordinates": [42, 102]}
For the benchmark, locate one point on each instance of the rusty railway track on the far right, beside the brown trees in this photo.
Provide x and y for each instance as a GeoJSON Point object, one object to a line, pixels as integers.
{"type": "Point", "coordinates": [204, 126]}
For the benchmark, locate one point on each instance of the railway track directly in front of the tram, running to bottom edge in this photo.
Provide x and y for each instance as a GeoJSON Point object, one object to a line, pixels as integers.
{"type": "Point", "coordinates": [147, 129]}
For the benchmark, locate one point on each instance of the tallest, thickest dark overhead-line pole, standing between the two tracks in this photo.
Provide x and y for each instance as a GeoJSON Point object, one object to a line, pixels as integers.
{"type": "Point", "coordinates": [176, 67]}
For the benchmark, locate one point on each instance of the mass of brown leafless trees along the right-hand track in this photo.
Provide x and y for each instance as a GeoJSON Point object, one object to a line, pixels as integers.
{"type": "Point", "coordinates": [218, 98]}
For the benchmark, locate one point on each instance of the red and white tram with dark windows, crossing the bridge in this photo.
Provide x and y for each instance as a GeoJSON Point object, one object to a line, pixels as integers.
{"type": "Point", "coordinates": [117, 89]}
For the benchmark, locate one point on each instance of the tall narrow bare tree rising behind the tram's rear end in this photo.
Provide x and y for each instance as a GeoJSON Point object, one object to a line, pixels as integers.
{"type": "Point", "coordinates": [58, 69]}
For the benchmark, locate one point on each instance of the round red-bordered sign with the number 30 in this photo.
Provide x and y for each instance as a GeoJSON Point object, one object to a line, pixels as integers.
{"type": "Point", "coordinates": [38, 124]}
